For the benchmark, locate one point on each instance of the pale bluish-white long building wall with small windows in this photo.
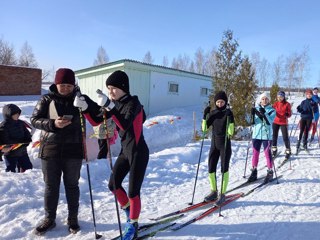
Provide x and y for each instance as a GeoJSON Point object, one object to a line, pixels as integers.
{"type": "Point", "coordinates": [189, 92]}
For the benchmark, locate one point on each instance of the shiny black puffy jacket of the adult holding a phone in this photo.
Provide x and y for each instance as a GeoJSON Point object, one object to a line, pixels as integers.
{"type": "Point", "coordinates": [55, 142]}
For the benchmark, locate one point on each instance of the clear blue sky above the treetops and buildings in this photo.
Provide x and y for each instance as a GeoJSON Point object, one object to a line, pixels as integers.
{"type": "Point", "coordinates": [68, 33]}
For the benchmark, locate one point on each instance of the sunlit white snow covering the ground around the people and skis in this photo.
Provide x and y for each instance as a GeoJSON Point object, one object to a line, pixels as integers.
{"type": "Point", "coordinates": [288, 210]}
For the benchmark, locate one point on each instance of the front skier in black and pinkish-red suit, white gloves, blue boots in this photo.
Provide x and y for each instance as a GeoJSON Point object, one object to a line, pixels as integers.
{"type": "Point", "coordinates": [128, 114]}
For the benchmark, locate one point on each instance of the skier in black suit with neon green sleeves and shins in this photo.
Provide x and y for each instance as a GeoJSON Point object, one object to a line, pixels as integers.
{"type": "Point", "coordinates": [222, 121]}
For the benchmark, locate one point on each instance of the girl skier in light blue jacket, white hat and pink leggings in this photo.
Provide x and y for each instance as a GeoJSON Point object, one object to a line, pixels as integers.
{"type": "Point", "coordinates": [262, 119]}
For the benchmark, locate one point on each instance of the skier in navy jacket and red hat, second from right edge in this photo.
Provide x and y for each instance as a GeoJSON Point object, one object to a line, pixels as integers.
{"type": "Point", "coordinates": [306, 109]}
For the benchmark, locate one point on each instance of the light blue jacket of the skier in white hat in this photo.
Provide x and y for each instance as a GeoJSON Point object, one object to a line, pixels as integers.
{"type": "Point", "coordinates": [261, 129]}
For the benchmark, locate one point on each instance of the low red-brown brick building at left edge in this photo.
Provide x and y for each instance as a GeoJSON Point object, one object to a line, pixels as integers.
{"type": "Point", "coordinates": [16, 80]}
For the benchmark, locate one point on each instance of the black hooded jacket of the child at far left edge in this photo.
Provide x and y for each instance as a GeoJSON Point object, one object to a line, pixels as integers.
{"type": "Point", "coordinates": [14, 131]}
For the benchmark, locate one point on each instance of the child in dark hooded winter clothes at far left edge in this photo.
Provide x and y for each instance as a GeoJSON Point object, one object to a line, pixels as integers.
{"type": "Point", "coordinates": [14, 131]}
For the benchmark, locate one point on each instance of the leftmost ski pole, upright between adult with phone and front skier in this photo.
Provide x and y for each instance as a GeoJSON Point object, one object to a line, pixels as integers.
{"type": "Point", "coordinates": [97, 236]}
